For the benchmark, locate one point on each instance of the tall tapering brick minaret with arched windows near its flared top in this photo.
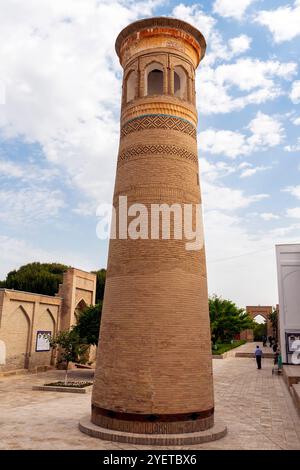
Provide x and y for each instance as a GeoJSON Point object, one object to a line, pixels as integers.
{"type": "Point", "coordinates": [154, 368]}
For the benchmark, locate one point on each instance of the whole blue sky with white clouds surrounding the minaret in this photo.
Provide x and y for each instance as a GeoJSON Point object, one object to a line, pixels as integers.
{"type": "Point", "coordinates": [60, 84]}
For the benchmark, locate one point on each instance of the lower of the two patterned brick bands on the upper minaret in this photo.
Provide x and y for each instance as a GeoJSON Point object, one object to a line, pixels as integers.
{"type": "Point", "coordinates": [157, 149]}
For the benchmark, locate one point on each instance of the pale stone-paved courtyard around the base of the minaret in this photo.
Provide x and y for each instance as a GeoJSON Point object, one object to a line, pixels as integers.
{"type": "Point", "coordinates": [255, 405]}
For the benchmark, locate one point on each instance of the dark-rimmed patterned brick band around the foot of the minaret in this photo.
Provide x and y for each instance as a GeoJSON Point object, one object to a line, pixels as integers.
{"type": "Point", "coordinates": [153, 423]}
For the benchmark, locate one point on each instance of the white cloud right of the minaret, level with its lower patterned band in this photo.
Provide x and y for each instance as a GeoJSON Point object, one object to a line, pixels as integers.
{"type": "Point", "coordinates": [266, 132]}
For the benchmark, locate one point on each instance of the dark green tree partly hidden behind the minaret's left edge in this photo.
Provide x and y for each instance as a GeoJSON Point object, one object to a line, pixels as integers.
{"type": "Point", "coordinates": [88, 324]}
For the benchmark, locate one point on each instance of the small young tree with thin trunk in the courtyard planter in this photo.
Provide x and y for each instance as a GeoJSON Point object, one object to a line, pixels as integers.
{"type": "Point", "coordinates": [71, 348]}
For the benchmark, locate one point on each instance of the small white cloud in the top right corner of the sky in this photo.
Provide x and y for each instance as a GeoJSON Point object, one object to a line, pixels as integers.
{"type": "Point", "coordinates": [283, 22]}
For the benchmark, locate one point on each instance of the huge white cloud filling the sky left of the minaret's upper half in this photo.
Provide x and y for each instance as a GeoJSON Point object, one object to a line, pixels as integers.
{"type": "Point", "coordinates": [63, 84]}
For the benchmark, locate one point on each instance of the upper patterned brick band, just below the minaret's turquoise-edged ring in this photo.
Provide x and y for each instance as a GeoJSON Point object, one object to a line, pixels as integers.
{"type": "Point", "coordinates": [158, 121]}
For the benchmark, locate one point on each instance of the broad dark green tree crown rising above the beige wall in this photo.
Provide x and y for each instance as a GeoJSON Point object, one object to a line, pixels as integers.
{"type": "Point", "coordinates": [41, 278]}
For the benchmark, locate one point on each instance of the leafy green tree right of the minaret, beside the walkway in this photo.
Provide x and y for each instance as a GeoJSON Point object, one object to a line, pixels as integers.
{"type": "Point", "coordinates": [227, 319]}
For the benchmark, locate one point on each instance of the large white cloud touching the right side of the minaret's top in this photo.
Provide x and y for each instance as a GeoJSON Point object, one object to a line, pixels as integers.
{"type": "Point", "coordinates": [257, 81]}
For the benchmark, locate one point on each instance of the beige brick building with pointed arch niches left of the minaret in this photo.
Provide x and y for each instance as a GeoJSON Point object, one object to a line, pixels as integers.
{"type": "Point", "coordinates": [27, 320]}
